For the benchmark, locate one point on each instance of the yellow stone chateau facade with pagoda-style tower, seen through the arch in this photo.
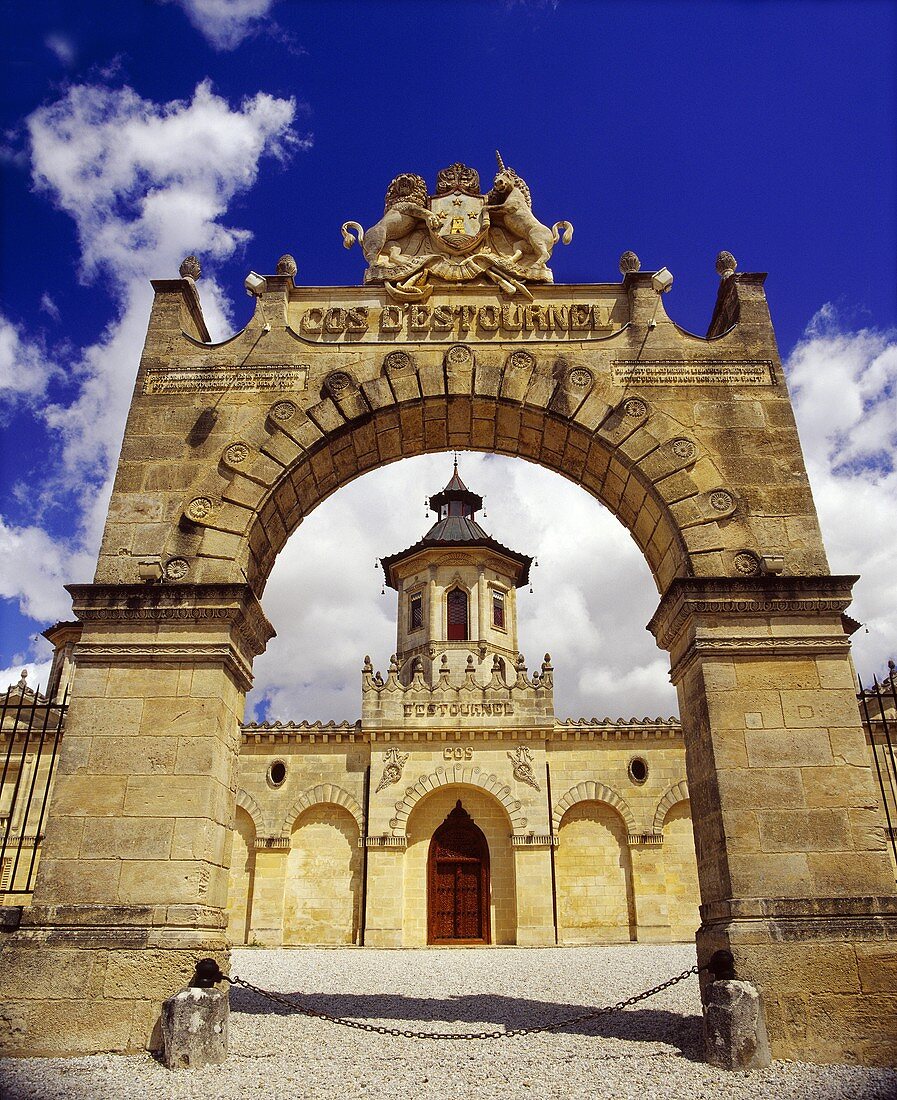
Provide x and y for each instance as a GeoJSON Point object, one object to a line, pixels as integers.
{"type": "Point", "coordinates": [460, 809]}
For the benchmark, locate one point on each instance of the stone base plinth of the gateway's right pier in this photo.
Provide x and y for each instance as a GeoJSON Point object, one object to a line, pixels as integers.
{"type": "Point", "coordinates": [827, 969]}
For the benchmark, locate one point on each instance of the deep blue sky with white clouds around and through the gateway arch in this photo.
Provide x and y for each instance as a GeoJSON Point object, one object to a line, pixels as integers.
{"type": "Point", "coordinates": [135, 133]}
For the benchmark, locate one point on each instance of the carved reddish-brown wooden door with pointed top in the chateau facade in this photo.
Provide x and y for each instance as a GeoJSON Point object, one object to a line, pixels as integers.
{"type": "Point", "coordinates": [458, 883]}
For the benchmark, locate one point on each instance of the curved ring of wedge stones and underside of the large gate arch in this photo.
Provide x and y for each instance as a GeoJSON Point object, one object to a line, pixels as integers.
{"type": "Point", "coordinates": [632, 458]}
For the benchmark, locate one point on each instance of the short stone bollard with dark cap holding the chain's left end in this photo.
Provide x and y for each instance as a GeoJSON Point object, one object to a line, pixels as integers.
{"type": "Point", "coordinates": [195, 1022]}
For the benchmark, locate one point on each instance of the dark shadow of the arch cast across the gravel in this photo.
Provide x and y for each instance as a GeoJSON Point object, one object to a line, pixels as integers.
{"type": "Point", "coordinates": [474, 1013]}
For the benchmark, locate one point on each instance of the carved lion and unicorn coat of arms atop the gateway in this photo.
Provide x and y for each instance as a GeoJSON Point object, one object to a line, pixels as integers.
{"type": "Point", "coordinates": [457, 235]}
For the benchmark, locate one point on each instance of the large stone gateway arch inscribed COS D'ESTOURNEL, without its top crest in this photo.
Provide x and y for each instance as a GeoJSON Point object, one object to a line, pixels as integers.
{"type": "Point", "coordinates": [690, 442]}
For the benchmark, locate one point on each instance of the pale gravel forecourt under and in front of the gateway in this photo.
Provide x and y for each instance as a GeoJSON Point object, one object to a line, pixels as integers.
{"type": "Point", "coordinates": [650, 1052]}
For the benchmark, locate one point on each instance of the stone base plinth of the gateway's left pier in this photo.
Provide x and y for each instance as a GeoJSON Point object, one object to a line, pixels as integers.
{"type": "Point", "coordinates": [74, 987]}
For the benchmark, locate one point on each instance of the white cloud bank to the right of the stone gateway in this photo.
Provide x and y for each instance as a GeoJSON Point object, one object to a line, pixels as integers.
{"type": "Point", "coordinates": [845, 388]}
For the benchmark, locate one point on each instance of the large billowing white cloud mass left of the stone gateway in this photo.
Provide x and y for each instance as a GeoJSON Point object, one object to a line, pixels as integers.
{"type": "Point", "coordinates": [128, 173]}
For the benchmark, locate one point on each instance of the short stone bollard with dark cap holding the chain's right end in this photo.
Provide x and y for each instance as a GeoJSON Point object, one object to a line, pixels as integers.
{"type": "Point", "coordinates": [735, 1026]}
